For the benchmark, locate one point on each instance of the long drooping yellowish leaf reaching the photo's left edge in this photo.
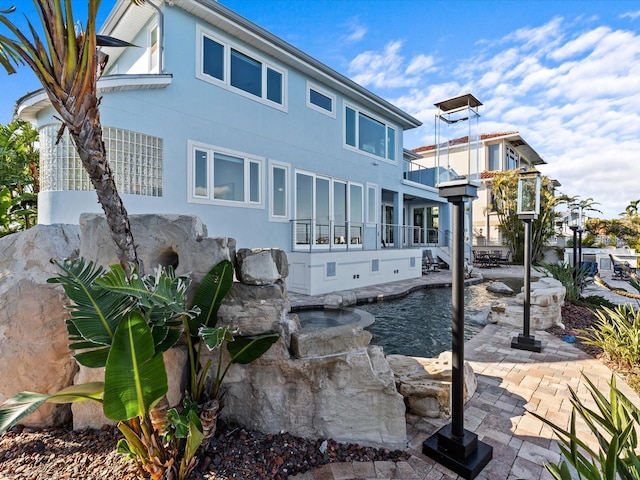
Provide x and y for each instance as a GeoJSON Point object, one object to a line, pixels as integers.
{"type": "Point", "coordinates": [23, 404]}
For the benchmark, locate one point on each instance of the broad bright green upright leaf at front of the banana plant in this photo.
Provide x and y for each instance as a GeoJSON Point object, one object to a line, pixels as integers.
{"type": "Point", "coordinates": [135, 376]}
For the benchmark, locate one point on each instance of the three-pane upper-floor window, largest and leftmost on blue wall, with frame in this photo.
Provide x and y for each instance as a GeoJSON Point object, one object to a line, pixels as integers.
{"type": "Point", "coordinates": [241, 71]}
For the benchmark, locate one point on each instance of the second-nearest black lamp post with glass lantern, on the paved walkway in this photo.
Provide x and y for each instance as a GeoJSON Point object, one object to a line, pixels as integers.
{"type": "Point", "coordinates": [528, 210]}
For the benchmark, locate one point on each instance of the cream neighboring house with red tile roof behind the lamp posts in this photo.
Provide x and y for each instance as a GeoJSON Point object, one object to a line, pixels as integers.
{"type": "Point", "coordinates": [497, 152]}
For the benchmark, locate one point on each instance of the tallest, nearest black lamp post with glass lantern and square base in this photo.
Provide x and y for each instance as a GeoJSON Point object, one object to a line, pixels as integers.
{"type": "Point", "coordinates": [453, 446]}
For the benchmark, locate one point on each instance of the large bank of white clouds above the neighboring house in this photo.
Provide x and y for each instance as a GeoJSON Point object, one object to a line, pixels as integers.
{"type": "Point", "coordinates": [571, 91]}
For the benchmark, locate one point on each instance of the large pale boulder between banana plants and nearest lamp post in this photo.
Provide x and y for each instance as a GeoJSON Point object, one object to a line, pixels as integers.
{"type": "Point", "coordinates": [349, 397]}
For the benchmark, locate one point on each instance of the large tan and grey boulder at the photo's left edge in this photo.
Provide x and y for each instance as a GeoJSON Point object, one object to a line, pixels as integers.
{"type": "Point", "coordinates": [34, 349]}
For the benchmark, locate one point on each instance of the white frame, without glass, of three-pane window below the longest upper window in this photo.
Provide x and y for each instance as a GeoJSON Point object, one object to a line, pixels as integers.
{"type": "Point", "coordinates": [192, 146]}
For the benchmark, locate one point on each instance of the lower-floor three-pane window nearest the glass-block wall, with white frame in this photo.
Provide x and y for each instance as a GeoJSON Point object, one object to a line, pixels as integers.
{"type": "Point", "coordinates": [223, 176]}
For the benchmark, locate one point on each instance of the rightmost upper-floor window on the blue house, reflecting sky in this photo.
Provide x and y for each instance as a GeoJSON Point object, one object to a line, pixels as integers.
{"type": "Point", "coordinates": [368, 134]}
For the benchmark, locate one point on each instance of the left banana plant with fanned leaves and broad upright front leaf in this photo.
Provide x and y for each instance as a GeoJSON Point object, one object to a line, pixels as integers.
{"type": "Point", "coordinates": [124, 324]}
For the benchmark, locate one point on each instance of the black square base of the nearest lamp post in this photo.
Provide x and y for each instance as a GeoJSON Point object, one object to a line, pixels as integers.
{"type": "Point", "coordinates": [466, 456]}
